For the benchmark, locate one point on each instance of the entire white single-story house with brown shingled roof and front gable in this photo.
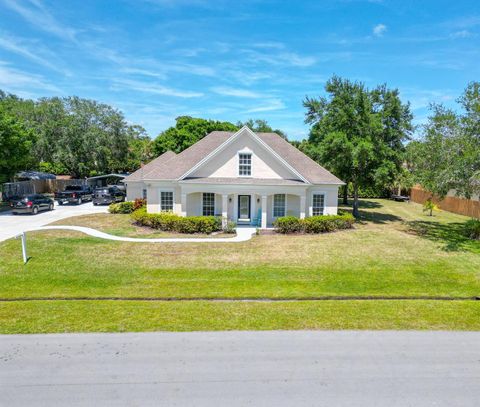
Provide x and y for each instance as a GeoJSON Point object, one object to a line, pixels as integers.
{"type": "Point", "coordinates": [247, 177]}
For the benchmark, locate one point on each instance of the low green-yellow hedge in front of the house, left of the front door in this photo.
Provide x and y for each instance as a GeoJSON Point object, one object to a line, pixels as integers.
{"type": "Point", "coordinates": [171, 222]}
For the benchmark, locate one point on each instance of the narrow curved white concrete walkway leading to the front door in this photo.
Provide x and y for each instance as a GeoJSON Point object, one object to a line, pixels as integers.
{"type": "Point", "coordinates": [243, 234]}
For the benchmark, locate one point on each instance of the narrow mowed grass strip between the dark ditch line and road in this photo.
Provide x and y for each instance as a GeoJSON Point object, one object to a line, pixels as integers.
{"type": "Point", "coordinates": [137, 316]}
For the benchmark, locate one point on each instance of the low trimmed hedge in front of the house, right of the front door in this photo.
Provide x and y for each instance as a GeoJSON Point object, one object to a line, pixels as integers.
{"type": "Point", "coordinates": [314, 224]}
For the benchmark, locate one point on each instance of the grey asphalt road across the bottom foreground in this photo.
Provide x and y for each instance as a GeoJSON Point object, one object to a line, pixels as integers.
{"type": "Point", "coordinates": [301, 368]}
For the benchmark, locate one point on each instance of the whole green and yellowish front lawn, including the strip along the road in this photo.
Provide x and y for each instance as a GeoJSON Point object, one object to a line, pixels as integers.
{"type": "Point", "coordinates": [395, 250]}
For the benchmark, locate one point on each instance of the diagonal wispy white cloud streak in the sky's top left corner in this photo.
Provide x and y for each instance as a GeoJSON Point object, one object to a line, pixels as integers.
{"type": "Point", "coordinates": [37, 15]}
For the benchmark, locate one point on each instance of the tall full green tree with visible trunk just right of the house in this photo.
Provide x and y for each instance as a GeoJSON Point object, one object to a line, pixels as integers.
{"type": "Point", "coordinates": [358, 133]}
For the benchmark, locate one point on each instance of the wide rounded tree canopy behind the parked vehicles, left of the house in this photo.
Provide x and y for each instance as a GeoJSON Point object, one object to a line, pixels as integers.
{"type": "Point", "coordinates": [79, 137]}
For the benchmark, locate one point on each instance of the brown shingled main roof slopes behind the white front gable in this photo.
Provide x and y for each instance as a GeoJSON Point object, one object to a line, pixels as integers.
{"type": "Point", "coordinates": [178, 166]}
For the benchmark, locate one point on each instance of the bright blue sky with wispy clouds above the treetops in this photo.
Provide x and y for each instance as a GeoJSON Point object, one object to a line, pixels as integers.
{"type": "Point", "coordinates": [234, 60]}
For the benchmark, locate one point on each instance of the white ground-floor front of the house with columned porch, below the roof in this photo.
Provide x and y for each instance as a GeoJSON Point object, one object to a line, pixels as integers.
{"type": "Point", "coordinates": [246, 204]}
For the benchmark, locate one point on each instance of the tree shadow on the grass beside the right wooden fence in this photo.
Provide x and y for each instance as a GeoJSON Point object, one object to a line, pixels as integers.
{"type": "Point", "coordinates": [450, 235]}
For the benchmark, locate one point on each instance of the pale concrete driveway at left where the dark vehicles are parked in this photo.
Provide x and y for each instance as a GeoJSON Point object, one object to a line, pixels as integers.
{"type": "Point", "coordinates": [11, 225]}
